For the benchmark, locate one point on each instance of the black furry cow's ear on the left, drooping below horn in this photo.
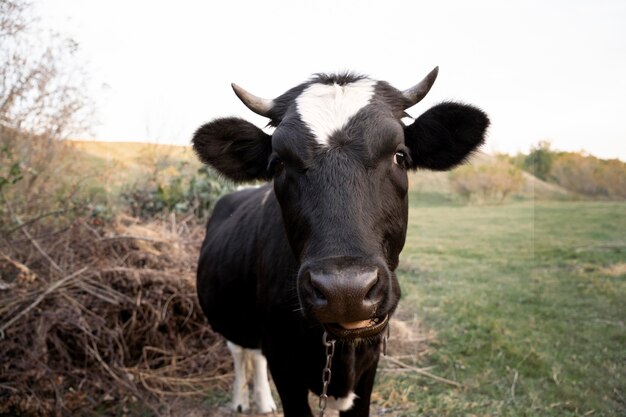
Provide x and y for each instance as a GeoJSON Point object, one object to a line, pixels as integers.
{"type": "Point", "coordinates": [236, 148]}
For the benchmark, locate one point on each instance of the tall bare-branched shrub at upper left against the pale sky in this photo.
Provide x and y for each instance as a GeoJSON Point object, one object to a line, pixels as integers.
{"type": "Point", "coordinates": [42, 102]}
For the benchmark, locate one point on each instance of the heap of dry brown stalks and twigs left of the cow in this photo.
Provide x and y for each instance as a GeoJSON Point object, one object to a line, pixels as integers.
{"type": "Point", "coordinates": [99, 316]}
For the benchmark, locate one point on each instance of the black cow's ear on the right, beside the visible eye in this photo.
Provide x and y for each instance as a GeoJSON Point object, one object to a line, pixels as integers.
{"type": "Point", "coordinates": [445, 135]}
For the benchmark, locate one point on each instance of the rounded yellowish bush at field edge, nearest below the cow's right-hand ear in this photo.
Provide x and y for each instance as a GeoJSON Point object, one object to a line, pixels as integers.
{"type": "Point", "coordinates": [487, 181]}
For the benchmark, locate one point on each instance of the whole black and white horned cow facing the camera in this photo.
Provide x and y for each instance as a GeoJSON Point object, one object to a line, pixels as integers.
{"type": "Point", "coordinates": [306, 262]}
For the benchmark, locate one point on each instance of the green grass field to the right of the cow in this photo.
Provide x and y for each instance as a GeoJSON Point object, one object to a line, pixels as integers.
{"type": "Point", "coordinates": [528, 301]}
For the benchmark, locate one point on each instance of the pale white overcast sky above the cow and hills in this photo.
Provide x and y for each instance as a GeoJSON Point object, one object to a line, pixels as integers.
{"type": "Point", "coordinates": [543, 70]}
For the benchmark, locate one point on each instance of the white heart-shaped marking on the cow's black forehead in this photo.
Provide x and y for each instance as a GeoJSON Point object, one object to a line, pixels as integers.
{"type": "Point", "coordinates": [327, 108]}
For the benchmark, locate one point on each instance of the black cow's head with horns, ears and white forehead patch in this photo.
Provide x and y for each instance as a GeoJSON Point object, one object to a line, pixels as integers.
{"type": "Point", "coordinates": [338, 158]}
